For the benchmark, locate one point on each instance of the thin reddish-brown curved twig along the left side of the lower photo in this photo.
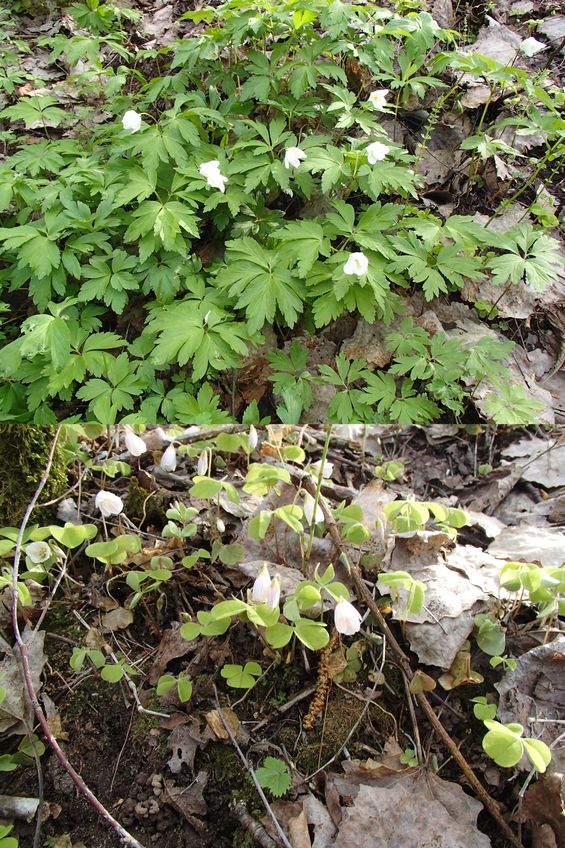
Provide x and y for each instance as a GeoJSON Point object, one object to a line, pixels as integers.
{"type": "Point", "coordinates": [126, 838]}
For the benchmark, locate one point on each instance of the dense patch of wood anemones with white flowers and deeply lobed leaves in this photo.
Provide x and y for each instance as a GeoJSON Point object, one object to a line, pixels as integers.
{"type": "Point", "coordinates": [250, 184]}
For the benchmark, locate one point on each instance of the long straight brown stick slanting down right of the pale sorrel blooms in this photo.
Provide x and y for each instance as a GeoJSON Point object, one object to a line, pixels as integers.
{"type": "Point", "coordinates": [364, 594]}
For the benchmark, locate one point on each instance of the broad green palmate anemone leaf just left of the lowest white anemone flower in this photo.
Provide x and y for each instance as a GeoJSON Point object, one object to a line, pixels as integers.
{"type": "Point", "coordinates": [261, 282]}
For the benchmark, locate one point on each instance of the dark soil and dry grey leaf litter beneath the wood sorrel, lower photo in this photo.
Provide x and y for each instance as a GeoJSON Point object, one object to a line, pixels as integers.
{"type": "Point", "coordinates": [345, 727]}
